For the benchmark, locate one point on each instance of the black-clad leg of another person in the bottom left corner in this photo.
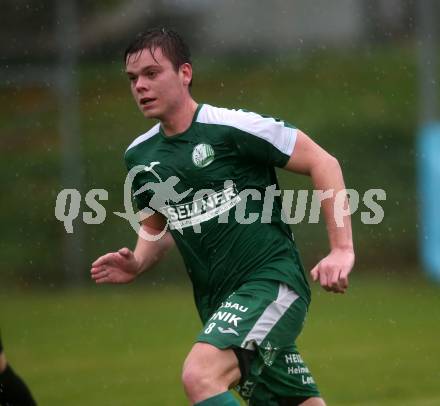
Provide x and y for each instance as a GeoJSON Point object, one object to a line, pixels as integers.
{"type": "Point", "coordinates": [13, 391]}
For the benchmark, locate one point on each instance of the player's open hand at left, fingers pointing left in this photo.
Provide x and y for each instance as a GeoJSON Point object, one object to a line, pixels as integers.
{"type": "Point", "coordinates": [115, 267]}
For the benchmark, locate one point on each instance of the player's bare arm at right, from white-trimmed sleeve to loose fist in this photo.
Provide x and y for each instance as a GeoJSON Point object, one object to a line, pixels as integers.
{"type": "Point", "coordinates": [309, 158]}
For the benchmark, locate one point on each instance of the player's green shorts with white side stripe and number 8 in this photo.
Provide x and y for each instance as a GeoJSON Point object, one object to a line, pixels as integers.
{"type": "Point", "coordinates": [261, 321]}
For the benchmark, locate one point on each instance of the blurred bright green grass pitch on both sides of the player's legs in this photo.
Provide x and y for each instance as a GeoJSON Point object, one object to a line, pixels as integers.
{"type": "Point", "coordinates": [376, 345]}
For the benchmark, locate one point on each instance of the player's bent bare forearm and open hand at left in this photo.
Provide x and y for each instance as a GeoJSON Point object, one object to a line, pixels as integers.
{"type": "Point", "coordinates": [124, 265]}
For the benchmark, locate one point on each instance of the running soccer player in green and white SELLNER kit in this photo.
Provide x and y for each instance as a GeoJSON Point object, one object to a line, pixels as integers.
{"type": "Point", "coordinates": [250, 287]}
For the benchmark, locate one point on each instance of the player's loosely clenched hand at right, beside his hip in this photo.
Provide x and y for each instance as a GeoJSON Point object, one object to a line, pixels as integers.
{"type": "Point", "coordinates": [332, 271]}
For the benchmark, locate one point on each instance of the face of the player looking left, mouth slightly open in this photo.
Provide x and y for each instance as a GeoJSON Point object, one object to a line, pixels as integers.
{"type": "Point", "coordinates": [157, 88]}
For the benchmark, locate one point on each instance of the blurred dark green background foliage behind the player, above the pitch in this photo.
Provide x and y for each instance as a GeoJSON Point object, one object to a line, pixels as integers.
{"type": "Point", "coordinates": [346, 76]}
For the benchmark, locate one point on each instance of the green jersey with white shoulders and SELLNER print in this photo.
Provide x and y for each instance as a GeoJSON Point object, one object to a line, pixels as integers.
{"type": "Point", "coordinates": [215, 176]}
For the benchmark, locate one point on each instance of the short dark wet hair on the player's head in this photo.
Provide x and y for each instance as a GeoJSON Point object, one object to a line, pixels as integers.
{"type": "Point", "coordinates": [169, 41]}
